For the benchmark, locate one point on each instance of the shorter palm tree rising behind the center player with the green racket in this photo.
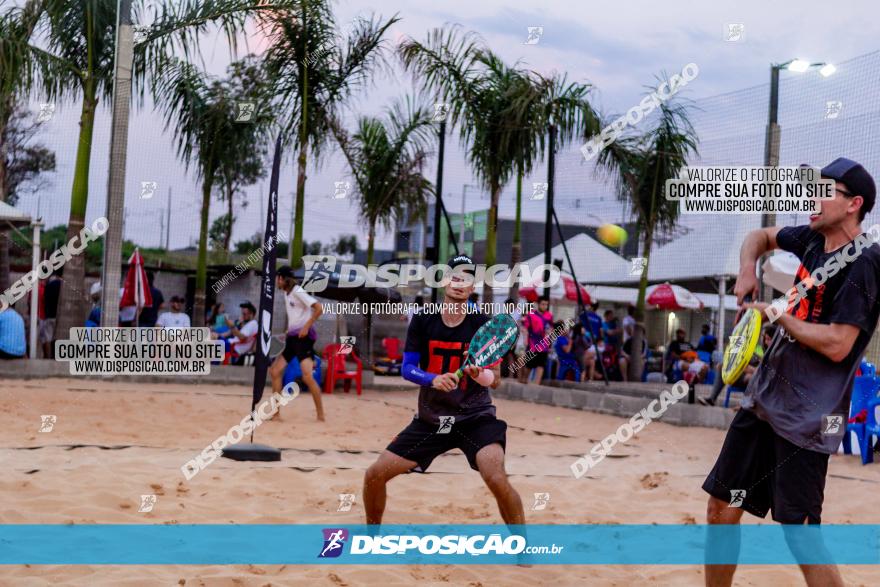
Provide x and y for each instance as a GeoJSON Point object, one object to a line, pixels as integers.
{"type": "Point", "coordinates": [386, 159]}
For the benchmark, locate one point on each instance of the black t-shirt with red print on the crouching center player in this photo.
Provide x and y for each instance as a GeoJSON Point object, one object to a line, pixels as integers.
{"type": "Point", "coordinates": [441, 350]}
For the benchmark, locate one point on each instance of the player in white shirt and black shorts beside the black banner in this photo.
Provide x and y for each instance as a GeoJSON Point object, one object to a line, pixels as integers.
{"type": "Point", "coordinates": [302, 312]}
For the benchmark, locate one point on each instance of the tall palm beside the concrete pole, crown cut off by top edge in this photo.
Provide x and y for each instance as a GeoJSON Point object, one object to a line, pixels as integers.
{"type": "Point", "coordinates": [82, 33]}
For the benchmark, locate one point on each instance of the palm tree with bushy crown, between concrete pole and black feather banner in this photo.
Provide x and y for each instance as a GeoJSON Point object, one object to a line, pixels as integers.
{"type": "Point", "coordinates": [202, 114]}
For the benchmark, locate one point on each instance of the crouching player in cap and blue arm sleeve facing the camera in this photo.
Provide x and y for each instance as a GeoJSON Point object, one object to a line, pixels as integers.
{"type": "Point", "coordinates": [451, 413]}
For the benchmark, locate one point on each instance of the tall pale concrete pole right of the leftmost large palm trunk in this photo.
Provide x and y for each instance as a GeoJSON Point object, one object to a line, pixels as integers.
{"type": "Point", "coordinates": [112, 273]}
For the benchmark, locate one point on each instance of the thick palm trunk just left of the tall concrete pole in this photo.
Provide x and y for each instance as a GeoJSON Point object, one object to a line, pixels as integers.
{"type": "Point", "coordinates": [73, 299]}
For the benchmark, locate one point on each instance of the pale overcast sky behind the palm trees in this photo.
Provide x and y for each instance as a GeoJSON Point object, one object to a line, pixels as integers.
{"type": "Point", "coordinates": [618, 51]}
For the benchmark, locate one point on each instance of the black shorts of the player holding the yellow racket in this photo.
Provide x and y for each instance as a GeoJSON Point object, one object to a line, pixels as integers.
{"type": "Point", "coordinates": [775, 474]}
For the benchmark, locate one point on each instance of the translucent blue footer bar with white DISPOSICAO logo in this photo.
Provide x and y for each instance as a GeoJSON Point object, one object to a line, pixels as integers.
{"type": "Point", "coordinates": [210, 544]}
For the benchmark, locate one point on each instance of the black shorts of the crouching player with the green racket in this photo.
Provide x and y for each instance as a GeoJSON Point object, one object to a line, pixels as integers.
{"type": "Point", "coordinates": [421, 443]}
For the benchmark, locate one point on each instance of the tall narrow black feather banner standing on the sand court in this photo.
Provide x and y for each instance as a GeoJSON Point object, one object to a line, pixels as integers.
{"type": "Point", "coordinates": [267, 289]}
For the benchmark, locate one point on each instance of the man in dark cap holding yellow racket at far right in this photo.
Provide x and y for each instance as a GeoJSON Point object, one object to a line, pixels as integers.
{"type": "Point", "coordinates": [776, 452]}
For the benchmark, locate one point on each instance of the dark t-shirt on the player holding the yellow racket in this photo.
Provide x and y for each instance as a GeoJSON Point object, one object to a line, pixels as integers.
{"type": "Point", "coordinates": [795, 387]}
